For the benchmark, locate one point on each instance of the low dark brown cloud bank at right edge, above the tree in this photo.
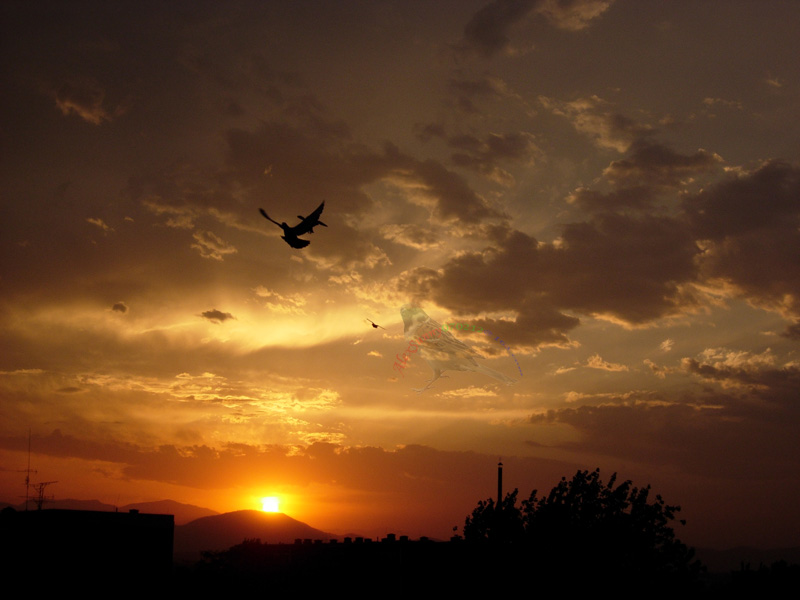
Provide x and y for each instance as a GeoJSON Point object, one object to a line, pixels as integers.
{"type": "Point", "coordinates": [714, 436]}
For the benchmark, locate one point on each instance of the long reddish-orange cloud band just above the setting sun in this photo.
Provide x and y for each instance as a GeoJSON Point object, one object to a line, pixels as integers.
{"type": "Point", "coordinates": [407, 473]}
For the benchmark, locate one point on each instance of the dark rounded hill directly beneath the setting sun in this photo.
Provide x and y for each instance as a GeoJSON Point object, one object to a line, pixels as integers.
{"type": "Point", "coordinates": [220, 532]}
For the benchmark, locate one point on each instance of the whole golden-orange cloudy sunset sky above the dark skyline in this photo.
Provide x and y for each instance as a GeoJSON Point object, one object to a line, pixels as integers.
{"type": "Point", "coordinates": [611, 187]}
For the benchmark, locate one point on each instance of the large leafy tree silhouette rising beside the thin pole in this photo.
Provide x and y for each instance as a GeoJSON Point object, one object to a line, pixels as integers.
{"type": "Point", "coordinates": [588, 527]}
